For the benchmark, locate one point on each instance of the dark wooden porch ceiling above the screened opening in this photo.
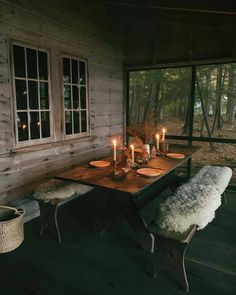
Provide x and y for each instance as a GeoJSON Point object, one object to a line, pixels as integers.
{"type": "Point", "coordinates": [168, 31]}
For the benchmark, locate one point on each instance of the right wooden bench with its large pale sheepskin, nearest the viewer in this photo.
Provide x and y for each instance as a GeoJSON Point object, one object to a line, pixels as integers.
{"type": "Point", "coordinates": [190, 208]}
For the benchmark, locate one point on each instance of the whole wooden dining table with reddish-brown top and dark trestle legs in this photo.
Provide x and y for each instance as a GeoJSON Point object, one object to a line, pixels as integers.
{"type": "Point", "coordinates": [130, 194]}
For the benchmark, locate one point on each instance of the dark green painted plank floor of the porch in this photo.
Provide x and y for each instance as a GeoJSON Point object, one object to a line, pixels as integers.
{"type": "Point", "coordinates": [113, 263]}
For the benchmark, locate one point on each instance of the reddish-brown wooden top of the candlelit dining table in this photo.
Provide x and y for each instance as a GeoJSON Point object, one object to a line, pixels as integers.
{"type": "Point", "coordinates": [133, 182]}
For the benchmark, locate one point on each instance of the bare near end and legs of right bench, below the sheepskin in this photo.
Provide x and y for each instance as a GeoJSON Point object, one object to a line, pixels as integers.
{"type": "Point", "coordinates": [170, 248]}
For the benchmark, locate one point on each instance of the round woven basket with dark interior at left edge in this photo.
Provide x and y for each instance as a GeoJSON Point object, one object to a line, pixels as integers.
{"type": "Point", "coordinates": [11, 228]}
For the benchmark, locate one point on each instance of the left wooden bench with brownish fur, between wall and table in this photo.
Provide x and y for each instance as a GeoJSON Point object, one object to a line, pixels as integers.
{"type": "Point", "coordinates": [50, 195]}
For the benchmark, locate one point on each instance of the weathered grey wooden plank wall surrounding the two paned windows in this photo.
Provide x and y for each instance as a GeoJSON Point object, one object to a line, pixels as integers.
{"type": "Point", "coordinates": [79, 28]}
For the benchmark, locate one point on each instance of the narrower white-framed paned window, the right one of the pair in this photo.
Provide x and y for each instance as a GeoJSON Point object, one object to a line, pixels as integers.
{"type": "Point", "coordinates": [75, 96]}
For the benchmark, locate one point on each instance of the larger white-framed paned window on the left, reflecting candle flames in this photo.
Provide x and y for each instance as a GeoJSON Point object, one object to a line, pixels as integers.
{"type": "Point", "coordinates": [32, 103]}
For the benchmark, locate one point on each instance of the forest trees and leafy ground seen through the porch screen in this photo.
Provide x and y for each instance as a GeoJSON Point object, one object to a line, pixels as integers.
{"type": "Point", "coordinates": [165, 94]}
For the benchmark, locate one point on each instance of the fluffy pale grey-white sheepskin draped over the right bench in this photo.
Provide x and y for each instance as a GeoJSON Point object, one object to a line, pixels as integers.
{"type": "Point", "coordinates": [194, 202]}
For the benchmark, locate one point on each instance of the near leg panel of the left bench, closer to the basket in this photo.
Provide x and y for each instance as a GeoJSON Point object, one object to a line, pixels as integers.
{"type": "Point", "coordinates": [48, 215]}
